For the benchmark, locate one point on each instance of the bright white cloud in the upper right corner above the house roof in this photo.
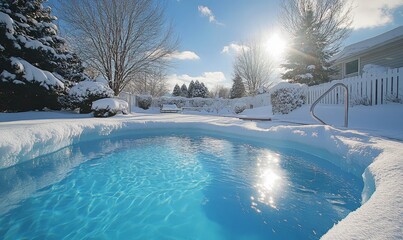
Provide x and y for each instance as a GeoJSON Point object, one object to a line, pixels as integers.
{"type": "Point", "coordinates": [373, 13]}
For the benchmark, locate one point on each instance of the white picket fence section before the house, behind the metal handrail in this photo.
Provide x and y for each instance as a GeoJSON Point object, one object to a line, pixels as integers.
{"type": "Point", "coordinates": [369, 89]}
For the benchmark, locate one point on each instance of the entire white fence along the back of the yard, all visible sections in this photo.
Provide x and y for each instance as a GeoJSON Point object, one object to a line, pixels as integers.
{"type": "Point", "coordinates": [368, 89]}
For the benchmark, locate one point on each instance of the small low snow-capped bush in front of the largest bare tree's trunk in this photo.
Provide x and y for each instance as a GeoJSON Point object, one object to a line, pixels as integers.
{"type": "Point", "coordinates": [108, 107]}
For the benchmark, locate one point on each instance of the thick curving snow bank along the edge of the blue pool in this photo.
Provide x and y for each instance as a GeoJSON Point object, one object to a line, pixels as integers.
{"type": "Point", "coordinates": [380, 217]}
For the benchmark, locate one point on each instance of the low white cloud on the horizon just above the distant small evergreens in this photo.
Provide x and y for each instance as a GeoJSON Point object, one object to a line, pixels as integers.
{"type": "Point", "coordinates": [210, 79]}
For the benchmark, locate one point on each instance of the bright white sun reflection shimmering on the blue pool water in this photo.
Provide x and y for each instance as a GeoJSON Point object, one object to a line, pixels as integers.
{"type": "Point", "coordinates": [270, 181]}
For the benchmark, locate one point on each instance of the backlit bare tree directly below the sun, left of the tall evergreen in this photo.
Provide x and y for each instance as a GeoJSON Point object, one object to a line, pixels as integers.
{"type": "Point", "coordinates": [254, 65]}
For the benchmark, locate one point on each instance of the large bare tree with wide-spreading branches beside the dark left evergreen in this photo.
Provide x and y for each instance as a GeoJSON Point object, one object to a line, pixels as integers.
{"type": "Point", "coordinates": [122, 39]}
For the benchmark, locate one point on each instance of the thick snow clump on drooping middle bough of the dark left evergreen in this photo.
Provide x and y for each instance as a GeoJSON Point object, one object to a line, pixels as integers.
{"type": "Point", "coordinates": [34, 74]}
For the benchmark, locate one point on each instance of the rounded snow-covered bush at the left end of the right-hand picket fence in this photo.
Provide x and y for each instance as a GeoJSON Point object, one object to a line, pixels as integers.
{"type": "Point", "coordinates": [287, 98]}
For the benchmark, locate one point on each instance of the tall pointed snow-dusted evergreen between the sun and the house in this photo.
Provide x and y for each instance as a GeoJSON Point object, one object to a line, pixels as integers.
{"type": "Point", "coordinates": [307, 60]}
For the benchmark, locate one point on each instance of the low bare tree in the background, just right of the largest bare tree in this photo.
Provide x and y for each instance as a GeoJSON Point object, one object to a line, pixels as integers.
{"type": "Point", "coordinates": [154, 83]}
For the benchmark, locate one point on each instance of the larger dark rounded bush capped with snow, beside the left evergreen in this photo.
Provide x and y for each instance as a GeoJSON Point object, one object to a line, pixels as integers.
{"type": "Point", "coordinates": [84, 93]}
